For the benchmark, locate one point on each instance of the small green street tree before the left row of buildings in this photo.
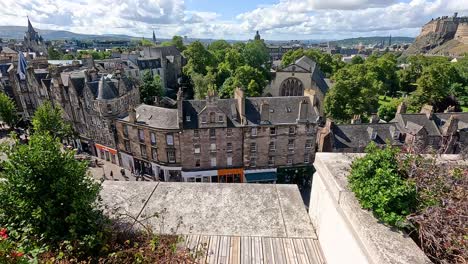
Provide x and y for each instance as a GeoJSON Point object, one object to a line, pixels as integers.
{"type": "Point", "coordinates": [48, 120]}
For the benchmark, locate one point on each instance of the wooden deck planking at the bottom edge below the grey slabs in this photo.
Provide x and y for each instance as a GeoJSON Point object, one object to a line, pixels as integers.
{"type": "Point", "coordinates": [254, 250]}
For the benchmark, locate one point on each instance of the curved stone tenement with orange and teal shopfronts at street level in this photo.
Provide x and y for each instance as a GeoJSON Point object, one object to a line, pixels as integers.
{"type": "Point", "coordinates": [220, 140]}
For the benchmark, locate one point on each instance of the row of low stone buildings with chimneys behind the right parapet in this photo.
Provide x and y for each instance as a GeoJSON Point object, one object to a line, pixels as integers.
{"type": "Point", "coordinates": [421, 132]}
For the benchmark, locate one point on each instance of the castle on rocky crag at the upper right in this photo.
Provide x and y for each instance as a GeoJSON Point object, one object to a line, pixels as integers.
{"type": "Point", "coordinates": [454, 27]}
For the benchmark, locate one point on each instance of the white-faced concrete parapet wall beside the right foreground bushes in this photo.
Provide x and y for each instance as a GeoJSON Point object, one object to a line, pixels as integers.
{"type": "Point", "coordinates": [347, 233]}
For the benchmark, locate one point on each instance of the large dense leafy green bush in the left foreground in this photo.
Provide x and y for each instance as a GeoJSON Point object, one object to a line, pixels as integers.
{"type": "Point", "coordinates": [47, 195]}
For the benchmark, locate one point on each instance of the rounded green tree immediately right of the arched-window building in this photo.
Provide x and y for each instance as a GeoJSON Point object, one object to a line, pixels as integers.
{"type": "Point", "coordinates": [355, 92]}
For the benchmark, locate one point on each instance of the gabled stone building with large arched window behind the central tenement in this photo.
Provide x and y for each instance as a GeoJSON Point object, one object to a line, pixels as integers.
{"type": "Point", "coordinates": [298, 79]}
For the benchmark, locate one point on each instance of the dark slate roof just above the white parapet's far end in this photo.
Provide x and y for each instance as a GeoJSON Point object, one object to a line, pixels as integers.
{"type": "Point", "coordinates": [359, 135]}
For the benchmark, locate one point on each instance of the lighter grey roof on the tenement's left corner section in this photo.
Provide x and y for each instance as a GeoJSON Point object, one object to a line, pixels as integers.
{"type": "Point", "coordinates": [156, 117]}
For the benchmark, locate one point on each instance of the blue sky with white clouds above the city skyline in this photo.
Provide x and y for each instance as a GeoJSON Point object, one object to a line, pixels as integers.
{"type": "Point", "coordinates": [232, 19]}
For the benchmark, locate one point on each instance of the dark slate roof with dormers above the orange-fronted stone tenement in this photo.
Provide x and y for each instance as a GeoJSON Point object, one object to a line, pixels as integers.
{"type": "Point", "coordinates": [283, 110]}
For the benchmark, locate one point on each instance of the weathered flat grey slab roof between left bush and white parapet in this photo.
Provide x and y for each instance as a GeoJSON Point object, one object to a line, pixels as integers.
{"type": "Point", "coordinates": [229, 209]}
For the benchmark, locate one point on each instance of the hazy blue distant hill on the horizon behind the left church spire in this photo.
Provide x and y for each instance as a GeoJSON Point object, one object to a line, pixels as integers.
{"type": "Point", "coordinates": [17, 32]}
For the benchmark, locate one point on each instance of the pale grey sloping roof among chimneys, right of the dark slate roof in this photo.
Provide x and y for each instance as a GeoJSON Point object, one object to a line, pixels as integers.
{"type": "Point", "coordinates": [406, 123]}
